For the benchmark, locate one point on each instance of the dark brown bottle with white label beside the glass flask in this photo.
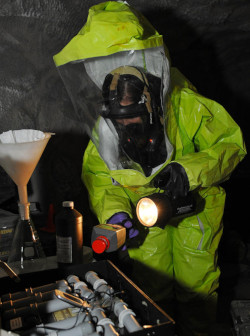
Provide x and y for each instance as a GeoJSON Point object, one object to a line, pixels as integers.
{"type": "Point", "coordinates": [69, 235]}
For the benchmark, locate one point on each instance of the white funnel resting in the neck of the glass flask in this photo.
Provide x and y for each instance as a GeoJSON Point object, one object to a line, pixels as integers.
{"type": "Point", "coordinates": [20, 152]}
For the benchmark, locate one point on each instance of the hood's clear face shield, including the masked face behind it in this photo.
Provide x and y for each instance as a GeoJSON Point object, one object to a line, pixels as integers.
{"type": "Point", "coordinates": [99, 106]}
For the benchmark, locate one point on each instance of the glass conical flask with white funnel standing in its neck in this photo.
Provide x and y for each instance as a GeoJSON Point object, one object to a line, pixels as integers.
{"type": "Point", "coordinates": [20, 151]}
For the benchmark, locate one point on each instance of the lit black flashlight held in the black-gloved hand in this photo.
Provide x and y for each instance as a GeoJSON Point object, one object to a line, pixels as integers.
{"type": "Point", "coordinates": [158, 209]}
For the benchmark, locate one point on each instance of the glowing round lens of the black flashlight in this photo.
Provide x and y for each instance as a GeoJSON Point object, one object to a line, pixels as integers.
{"type": "Point", "coordinates": [147, 212]}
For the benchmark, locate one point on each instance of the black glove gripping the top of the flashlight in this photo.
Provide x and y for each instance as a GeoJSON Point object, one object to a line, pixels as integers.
{"type": "Point", "coordinates": [173, 179]}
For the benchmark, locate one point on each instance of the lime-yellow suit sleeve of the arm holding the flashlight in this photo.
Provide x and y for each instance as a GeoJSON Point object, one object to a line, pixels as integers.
{"type": "Point", "coordinates": [208, 142]}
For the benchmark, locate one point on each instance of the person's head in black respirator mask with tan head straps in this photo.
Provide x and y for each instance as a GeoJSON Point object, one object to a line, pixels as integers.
{"type": "Point", "coordinates": [129, 102]}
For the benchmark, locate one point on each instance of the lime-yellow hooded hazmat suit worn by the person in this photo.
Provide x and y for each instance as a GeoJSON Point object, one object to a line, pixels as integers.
{"type": "Point", "coordinates": [180, 261]}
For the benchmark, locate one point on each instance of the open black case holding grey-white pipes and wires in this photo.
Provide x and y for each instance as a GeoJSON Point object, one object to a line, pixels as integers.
{"type": "Point", "coordinates": [101, 301]}
